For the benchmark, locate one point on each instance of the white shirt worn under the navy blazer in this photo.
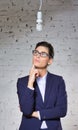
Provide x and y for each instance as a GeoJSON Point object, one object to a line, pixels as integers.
{"type": "Point", "coordinates": [41, 81]}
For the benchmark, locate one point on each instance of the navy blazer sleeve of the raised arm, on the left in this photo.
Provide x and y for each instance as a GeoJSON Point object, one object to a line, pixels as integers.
{"type": "Point", "coordinates": [26, 97]}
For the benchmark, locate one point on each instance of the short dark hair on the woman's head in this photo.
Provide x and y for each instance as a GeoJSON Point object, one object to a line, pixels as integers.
{"type": "Point", "coordinates": [48, 45]}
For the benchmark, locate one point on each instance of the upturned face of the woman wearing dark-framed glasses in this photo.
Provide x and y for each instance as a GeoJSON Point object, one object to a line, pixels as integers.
{"type": "Point", "coordinates": [41, 57]}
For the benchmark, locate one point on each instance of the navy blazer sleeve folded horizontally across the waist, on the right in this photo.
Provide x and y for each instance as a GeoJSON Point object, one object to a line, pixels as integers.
{"type": "Point", "coordinates": [60, 108]}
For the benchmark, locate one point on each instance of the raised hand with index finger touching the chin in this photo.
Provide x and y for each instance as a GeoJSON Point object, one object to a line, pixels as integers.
{"type": "Point", "coordinates": [32, 76]}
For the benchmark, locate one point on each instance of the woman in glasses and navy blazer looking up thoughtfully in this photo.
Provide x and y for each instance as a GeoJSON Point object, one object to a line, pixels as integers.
{"type": "Point", "coordinates": [42, 95]}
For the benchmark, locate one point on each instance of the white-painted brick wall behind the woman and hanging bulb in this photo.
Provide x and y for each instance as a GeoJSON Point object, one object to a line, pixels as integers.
{"type": "Point", "coordinates": [18, 37]}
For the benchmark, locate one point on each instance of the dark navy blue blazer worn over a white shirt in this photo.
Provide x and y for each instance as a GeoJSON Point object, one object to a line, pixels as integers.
{"type": "Point", "coordinates": [51, 110]}
